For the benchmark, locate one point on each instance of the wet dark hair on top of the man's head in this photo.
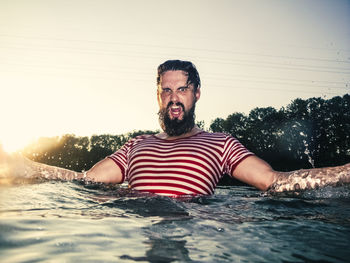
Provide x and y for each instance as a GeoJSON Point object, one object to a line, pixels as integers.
{"type": "Point", "coordinates": [186, 66]}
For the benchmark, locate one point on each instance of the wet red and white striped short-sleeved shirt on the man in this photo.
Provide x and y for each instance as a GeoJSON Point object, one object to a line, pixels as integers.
{"type": "Point", "coordinates": [186, 166]}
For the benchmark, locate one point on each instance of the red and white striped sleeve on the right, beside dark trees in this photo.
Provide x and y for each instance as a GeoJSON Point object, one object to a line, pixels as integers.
{"type": "Point", "coordinates": [234, 153]}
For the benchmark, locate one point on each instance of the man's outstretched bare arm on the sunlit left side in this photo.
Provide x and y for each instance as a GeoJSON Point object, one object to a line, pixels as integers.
{"type": "Point", "coordinates": [17, 166]}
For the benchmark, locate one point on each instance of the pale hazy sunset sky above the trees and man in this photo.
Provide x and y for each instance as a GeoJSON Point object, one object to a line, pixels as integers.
{"type": "Point", "coordinates": [89, 66]}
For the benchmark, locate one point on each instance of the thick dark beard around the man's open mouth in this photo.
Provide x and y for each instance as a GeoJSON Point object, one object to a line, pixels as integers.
{"type": "Point", "coordinates": [177, 127]}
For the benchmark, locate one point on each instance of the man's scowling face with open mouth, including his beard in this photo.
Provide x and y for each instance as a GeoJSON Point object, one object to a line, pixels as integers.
{"type": "Point", "coordinates": [176, 99]}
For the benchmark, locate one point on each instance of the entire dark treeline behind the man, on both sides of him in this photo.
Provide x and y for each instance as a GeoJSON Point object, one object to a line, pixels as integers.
{"type": "Point", "coordinates": [305, 133]}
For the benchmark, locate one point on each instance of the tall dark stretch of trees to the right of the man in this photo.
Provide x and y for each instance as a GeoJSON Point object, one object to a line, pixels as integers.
{"type": "Point", "coordinates": [305, 132]}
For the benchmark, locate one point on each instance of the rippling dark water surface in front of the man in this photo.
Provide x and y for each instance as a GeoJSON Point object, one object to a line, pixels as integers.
{"type": "Point", "coordinates": [69, 222]}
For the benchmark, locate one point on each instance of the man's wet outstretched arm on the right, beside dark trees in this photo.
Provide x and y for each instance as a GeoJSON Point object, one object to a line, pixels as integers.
{"type": "Point", "coordinates": [258, 173]}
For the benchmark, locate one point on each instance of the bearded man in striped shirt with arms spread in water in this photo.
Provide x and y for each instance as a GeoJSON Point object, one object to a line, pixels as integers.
{"type": "Point", "coordinates": [184, 160]}
